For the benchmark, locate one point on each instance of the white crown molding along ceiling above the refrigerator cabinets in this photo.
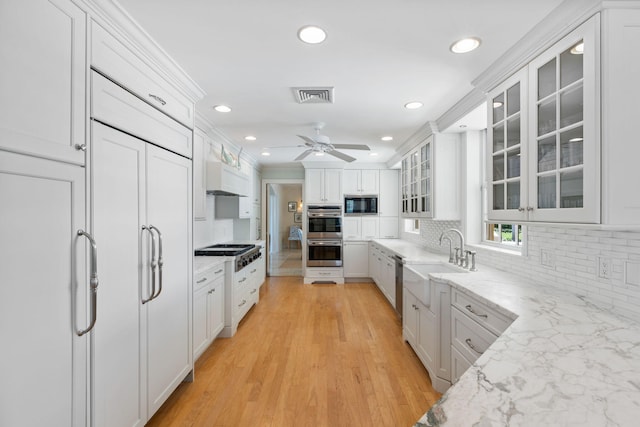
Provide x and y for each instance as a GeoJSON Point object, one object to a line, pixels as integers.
{"type": "Point", "coordinates": [112, 15]}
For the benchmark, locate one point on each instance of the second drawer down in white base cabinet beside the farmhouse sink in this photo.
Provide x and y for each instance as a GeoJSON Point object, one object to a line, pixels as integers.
{"type": "Point", "coordinates": [468, 336]}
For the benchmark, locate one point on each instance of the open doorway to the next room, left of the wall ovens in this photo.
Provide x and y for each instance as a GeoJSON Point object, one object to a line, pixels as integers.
{"type": "Point", "coordinates": [284, 228]}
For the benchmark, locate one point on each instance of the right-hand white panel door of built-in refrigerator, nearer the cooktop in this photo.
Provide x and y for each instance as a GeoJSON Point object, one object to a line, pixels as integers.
{"type": "Point", "coordinates": [169, 356]}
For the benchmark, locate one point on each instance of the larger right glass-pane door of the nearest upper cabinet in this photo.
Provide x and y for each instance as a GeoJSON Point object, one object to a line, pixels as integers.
{"type": "Point", "coordinates": [564, 145]}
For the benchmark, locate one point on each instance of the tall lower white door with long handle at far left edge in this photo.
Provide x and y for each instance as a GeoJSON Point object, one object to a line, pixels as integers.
{"type": "Point", "coordinates": [44, 362]}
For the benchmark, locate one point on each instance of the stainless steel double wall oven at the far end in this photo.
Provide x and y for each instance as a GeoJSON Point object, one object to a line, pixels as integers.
{"type": "Point", "coordinates": [324, 236]}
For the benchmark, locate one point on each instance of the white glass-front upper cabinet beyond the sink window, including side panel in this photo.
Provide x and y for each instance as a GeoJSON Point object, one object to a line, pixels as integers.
{"type": "Point", "coordinates": [430, 181]}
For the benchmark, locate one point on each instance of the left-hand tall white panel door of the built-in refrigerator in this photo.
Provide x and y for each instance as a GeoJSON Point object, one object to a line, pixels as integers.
{"type": "Point", "coordinates": [118, 213]}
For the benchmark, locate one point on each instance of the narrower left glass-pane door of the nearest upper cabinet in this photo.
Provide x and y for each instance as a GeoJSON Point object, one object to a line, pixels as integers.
{"type": "Point", "coordinates": [507, 161]}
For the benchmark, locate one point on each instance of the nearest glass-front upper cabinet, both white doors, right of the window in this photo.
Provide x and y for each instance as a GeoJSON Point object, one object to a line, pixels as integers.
{"type": "Point", "coordinates": [543, 145]}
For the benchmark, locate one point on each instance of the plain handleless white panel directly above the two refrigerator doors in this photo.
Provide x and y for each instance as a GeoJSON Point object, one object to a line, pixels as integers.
{"type": "Point", "coordinates": [112, 105]}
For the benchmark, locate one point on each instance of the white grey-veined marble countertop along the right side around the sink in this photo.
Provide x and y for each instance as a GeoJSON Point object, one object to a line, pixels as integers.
{"type": "Point", "coordinates": [562, 362]}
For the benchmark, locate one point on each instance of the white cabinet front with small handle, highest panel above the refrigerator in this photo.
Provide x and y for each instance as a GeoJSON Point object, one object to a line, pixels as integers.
{"type": "Point", "coordinates": [115, 60]}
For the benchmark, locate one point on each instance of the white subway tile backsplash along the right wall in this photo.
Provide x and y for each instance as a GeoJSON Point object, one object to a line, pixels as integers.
{"type": "Point", "coordinates": [602, 266]}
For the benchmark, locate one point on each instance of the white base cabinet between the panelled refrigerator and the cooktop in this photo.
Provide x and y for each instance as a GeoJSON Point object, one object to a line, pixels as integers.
{"type": "Point", "coordinates": [208, 307]}
